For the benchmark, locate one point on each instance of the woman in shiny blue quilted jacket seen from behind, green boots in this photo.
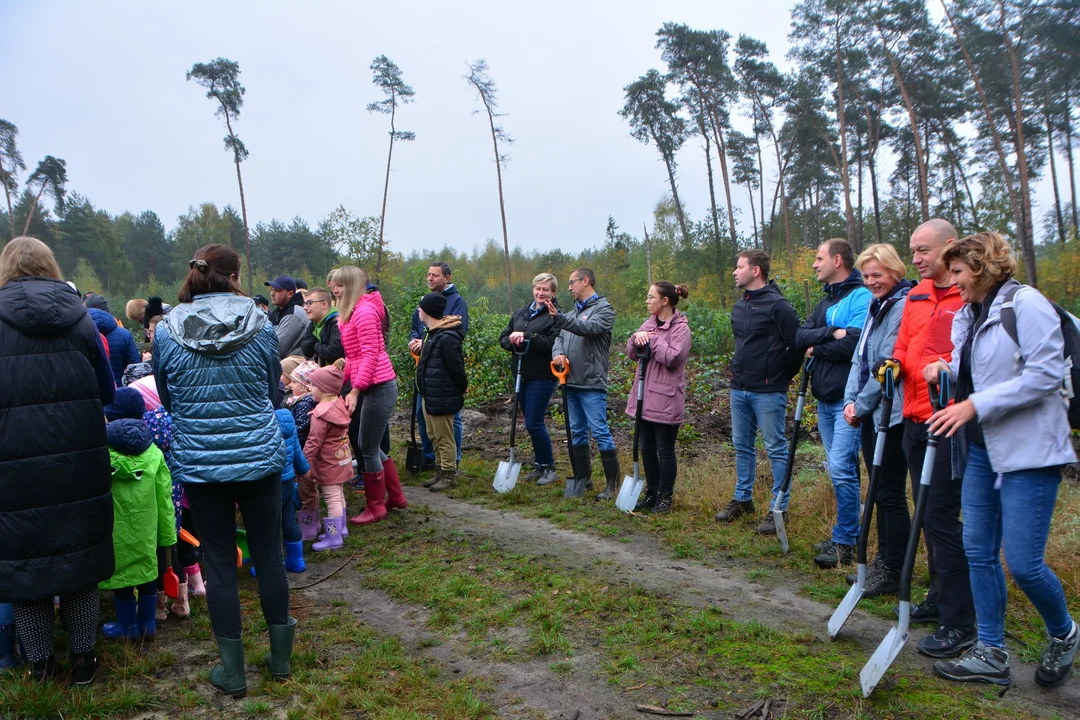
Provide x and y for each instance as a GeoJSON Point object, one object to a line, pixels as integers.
{"type": "Point", "coordinates": [215, 359]}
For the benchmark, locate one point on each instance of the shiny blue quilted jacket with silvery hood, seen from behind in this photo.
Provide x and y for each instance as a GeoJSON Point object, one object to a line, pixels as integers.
{"type": "Point", "coordinates": [218, 370]}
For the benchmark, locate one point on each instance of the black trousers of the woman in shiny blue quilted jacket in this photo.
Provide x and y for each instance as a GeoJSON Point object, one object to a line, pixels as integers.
{"type": "Point", "coordinates": [213, 509]}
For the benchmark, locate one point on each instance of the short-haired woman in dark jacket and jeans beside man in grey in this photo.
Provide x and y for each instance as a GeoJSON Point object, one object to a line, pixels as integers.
{"type": "Point", "coordinates": [532, 333]}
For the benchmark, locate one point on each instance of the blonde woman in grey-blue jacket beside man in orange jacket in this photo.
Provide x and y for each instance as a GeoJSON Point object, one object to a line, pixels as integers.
{"type": "Point", "coordinates": [884, 275]}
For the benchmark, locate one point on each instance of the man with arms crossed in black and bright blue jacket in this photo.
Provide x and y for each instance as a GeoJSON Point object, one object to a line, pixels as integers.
{"type": "Point", "coordinates": [830, 336]}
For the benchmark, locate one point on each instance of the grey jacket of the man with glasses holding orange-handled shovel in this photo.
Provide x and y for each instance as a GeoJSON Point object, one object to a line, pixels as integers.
{"type": "Point", "coordinates": [586, 341]}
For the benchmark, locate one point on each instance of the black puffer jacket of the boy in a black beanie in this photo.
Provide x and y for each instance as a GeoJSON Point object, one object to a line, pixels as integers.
{"type": "Point", "coordinates": [441, 376]}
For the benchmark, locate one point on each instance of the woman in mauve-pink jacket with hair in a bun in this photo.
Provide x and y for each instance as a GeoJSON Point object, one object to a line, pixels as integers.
{"type": "Point", "coordinates": [668, 334]}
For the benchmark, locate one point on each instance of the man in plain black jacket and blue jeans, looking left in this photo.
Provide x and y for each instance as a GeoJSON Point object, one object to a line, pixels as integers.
{"type": "Point", "coordinates": [764, 324]}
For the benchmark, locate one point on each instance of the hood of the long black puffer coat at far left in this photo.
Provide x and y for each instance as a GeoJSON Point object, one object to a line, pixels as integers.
{"type": "Point", "coordinates": [40, 306]}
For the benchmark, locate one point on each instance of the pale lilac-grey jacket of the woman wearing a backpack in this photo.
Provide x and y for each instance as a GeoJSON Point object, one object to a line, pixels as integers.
{"type": "Point", "coordinates": [1018, 399]}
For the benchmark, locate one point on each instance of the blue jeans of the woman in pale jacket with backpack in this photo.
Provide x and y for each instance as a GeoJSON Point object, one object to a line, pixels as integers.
{"type": "Point", "coordinates": [1020, 511]}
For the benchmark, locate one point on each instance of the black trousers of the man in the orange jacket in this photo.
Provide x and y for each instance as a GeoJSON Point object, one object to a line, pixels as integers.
{"type": "Point", "coordinates": [950, 582]}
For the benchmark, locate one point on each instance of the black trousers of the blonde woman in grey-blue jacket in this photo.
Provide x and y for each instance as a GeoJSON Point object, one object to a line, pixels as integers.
{"type": "Point", "coordinates": [894, 520]}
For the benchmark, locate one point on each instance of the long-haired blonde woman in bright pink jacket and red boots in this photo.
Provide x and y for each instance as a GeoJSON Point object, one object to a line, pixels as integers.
{"type": "Point", "coordinates": [363, 321]}
